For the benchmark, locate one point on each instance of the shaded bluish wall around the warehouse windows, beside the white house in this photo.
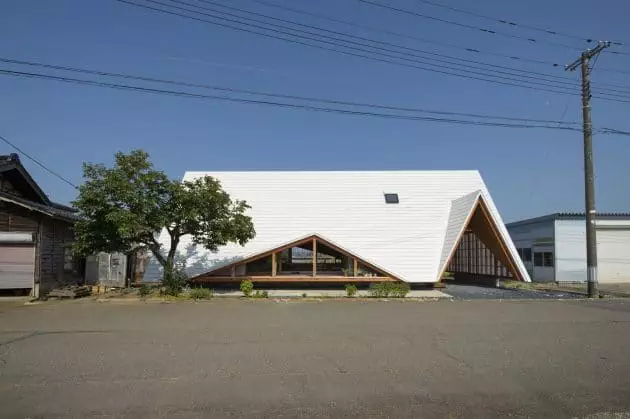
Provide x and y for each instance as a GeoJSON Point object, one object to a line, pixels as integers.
{"type": "Point", "coordinates": [539, 236]}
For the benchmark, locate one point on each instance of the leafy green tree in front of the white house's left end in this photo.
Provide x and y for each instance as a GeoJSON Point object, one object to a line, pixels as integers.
{"type": "Point", "coordinates": [131, 203]}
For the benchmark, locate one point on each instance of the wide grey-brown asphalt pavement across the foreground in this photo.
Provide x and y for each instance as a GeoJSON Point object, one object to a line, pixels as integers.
{"type": "Point", "coordinates": [258, 359]}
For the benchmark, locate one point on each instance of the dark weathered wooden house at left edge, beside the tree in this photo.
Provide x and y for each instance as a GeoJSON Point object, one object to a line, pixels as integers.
{"type": "Point", "coordinates": [35, 234]}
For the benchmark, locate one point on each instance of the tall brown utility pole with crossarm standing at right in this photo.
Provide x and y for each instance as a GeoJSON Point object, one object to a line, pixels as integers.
{"type": "Point", "coordinates": [589, 177]}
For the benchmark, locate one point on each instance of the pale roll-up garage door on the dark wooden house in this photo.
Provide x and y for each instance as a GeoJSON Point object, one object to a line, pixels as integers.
{"type": "Point", "coordinates": [17, 260]}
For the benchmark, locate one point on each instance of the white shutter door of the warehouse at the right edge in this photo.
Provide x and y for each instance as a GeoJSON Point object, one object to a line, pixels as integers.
{"type": "Point", "coordinates": [613, 255]}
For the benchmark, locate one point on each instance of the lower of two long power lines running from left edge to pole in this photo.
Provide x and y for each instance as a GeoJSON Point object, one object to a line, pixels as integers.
{"type": "Point", "coordinates": [119, 86]}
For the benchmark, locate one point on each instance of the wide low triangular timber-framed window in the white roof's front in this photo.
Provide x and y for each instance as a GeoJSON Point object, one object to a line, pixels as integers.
{"type": "Point", "coordinates": [311, 259]}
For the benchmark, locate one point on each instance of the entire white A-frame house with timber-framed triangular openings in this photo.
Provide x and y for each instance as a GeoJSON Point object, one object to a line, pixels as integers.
{"type": "Point", "coordinates": [361, 226]}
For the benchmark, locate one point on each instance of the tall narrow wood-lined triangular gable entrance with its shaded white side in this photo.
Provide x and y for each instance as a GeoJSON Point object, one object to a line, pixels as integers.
{"type": "Point", "coordinates": [479, 251]}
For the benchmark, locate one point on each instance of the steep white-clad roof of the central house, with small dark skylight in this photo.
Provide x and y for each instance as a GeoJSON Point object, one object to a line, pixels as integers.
{"type": "Point", "coordinates": [411, 239]}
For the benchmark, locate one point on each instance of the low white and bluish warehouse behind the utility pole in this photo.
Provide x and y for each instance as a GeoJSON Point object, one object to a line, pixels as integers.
{"type": "Point", "coordinates": [553, 247]}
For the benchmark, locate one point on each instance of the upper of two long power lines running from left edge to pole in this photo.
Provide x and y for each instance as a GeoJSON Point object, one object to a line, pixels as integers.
{"type": "Point", "coordinates": [276, 95]}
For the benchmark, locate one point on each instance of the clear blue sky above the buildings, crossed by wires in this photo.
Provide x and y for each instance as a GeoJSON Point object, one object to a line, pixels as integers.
{"type": "Point", "coordinates": [528, 172]}
